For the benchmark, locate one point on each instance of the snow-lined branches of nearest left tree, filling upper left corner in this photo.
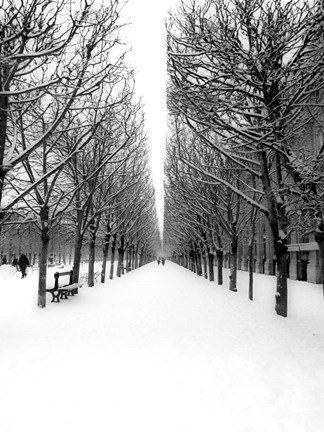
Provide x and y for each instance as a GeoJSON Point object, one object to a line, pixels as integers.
{"type": "Point", "coordinates": [52, 57]}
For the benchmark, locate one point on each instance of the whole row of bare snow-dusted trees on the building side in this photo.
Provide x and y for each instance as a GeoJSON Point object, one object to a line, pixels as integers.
{"type": "Point", "coordinates": [246, 104]}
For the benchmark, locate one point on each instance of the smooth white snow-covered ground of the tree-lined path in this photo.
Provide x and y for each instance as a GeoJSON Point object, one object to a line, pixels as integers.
{"type": "Point", "coordinates": [161, 350]}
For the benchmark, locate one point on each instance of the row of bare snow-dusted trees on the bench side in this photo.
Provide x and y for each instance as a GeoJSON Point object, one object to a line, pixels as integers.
{"type": "Point", "coordinates": [73, 154]}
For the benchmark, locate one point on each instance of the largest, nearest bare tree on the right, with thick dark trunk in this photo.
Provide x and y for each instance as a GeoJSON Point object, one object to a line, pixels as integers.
{"type": "Point", "coordinates": [245, 71]}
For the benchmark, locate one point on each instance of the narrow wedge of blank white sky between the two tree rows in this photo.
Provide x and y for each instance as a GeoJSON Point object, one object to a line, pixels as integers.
{"type": "Point", "coordinates": [147, 38]}
